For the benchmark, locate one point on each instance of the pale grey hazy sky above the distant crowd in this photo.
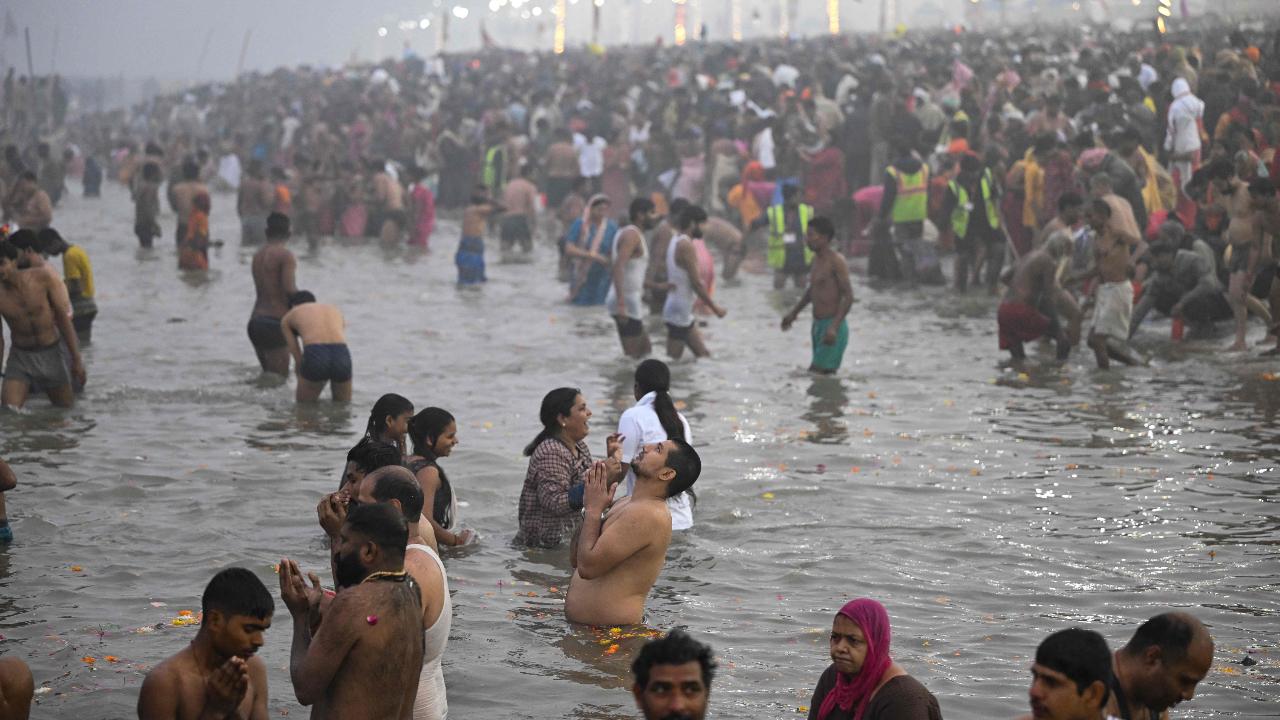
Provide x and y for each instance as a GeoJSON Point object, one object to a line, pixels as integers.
{"type": "Point", "coordinates": [164, 38]}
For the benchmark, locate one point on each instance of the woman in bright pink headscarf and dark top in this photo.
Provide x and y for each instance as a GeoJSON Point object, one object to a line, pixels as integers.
{"type": "Point", "coordinates": [863, 683]}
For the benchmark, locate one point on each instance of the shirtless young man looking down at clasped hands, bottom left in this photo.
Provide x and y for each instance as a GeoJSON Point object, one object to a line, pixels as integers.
{"type": "Point", "coordinates": [220, 675]}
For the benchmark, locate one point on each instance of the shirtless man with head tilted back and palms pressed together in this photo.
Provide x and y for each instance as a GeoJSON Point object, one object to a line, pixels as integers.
{"type": "Point", "coordinates": [618, 559]}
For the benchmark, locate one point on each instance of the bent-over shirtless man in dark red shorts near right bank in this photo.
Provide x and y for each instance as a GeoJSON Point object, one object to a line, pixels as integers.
{"type": "Point", "coordinates": [1035, 302]}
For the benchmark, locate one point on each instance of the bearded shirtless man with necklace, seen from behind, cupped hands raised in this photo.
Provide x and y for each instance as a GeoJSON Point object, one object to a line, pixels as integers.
{"type": "Point", "coordinates": [358, 657]}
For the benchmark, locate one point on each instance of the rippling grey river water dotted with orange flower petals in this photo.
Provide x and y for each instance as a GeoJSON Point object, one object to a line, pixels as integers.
{"type": "Point", "coordinates": [984, 509]}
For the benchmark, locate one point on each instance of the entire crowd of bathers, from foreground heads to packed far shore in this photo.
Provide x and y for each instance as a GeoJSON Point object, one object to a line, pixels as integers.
{"type": "Point", "coordinates": [1091, 175]}
